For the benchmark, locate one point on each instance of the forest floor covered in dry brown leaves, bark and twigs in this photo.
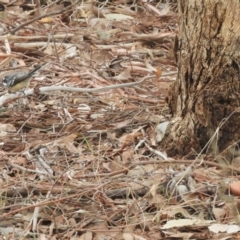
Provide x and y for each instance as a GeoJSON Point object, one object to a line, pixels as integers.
{"type": "Point", "coordinates": [87, 165]}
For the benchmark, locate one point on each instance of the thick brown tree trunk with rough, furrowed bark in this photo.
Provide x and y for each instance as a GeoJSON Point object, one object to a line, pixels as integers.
{"type": "Point", "coordinates": [205, 98]}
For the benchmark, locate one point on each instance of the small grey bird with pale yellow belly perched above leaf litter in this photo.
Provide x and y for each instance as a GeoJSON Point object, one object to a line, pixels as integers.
{"type": "Point", "coordinates": [19, 80]}
